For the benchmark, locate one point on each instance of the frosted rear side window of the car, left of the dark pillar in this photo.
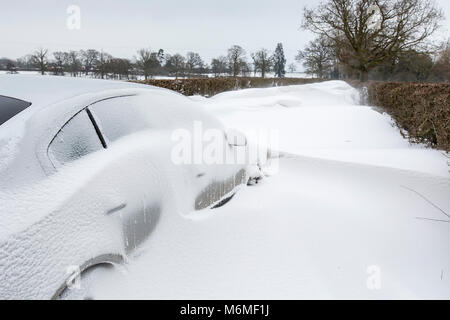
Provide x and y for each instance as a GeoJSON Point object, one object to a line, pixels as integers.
{"type": "Point", "coordinates": [76, 139]}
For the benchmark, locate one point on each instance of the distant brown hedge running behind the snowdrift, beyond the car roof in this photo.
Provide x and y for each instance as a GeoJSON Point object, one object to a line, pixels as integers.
{"type": "Point", "coordinates": [211, 86]}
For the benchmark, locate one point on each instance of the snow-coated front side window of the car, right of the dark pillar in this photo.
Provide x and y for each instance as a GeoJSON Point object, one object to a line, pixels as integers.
{"type": "Point", "coordinates": [118, 117]}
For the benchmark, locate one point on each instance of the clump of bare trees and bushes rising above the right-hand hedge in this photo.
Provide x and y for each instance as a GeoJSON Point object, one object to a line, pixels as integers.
{"type": "Point", "coordinates": [387, 40]}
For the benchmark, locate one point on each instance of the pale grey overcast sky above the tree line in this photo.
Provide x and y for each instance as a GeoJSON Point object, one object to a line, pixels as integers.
{"type": "Point", "coordinates": [122, 27]}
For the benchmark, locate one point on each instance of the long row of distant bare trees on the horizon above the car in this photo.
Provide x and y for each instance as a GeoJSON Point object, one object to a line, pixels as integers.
{"type": "Point", "coordinates": [148, 63]}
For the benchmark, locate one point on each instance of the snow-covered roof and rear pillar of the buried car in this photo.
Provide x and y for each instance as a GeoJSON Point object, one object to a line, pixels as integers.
{"type": "Point", "coordinates": [24, 139]}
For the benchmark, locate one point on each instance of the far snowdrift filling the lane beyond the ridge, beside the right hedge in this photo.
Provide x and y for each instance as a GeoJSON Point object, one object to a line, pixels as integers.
{"type": "Point", "coordinates": [325, 120]}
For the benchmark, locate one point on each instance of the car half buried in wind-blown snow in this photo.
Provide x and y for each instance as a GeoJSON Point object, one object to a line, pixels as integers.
{"type": "Point", "coordinates": [87, 171]}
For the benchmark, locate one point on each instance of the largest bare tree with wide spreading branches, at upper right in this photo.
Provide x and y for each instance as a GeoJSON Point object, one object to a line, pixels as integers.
{"type": "Point", "coordinates": [367, 32]}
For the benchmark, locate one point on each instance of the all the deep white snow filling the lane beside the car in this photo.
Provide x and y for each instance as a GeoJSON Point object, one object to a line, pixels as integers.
{"type": "Point", "coordinates": [354, 211]}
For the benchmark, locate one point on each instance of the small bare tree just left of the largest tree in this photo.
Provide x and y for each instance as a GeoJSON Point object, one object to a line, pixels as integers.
{"type": "Point", "coordinates": [317, 57]}
